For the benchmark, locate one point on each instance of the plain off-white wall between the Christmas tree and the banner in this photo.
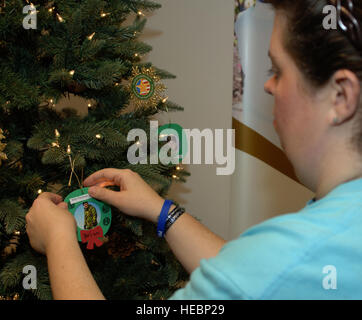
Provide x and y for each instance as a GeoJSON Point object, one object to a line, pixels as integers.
{"type": "Point", "coordinates": [193, 39]}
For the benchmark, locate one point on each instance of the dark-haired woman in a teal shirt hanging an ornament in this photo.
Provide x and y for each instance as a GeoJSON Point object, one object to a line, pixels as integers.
{"type": "Point", "coordinates": [313, 254]}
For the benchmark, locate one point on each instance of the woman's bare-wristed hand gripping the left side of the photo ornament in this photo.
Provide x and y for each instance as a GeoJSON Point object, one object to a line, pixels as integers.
{"type": "Point", "coordinates": [48, 222]}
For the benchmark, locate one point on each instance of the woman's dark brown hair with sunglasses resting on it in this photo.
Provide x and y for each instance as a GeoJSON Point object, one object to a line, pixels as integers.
{"type": "Point", "coordinates": [317, 52]}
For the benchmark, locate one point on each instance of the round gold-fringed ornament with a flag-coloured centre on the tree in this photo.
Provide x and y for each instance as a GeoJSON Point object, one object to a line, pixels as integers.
{"type": "Point", "coordinates": [145, 88]}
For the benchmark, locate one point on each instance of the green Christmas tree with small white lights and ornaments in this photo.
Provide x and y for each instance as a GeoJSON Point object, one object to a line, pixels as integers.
{"type": "Point", "coordinates": [54, 50]}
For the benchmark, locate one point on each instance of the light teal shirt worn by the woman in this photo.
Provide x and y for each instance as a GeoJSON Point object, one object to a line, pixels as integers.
{"type": "Point", "coordinates": [315, 253]}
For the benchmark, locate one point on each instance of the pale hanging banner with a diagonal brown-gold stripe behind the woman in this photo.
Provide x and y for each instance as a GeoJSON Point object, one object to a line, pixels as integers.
{"type": "Point", "coordinates": [264, 183]}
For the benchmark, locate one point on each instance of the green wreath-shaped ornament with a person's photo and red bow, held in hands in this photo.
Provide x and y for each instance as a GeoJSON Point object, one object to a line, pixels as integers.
{"type": "Point", "coordinates": [92, 216]}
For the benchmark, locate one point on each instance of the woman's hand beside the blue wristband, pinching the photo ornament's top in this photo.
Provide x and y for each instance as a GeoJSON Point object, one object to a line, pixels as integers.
{"type": "Point", "coordinates": [135, 198]}
